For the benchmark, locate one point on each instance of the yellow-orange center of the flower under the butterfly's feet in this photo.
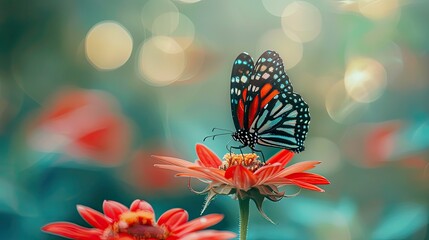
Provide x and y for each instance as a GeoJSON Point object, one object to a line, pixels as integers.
{"type": "Point", "coordinates": [248, 160]}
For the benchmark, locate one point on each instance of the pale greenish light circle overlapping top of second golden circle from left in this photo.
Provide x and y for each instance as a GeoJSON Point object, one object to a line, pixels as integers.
{"type": "Point", "coordinates": [175, 25]}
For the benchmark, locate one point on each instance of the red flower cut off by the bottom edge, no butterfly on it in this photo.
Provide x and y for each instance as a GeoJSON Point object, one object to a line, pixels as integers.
{"type": "Point", "coordinates": [138, 222]}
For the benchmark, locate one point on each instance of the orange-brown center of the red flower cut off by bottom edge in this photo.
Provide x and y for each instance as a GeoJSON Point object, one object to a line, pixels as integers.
{"type": "Point", "coordinates": [139, 225]}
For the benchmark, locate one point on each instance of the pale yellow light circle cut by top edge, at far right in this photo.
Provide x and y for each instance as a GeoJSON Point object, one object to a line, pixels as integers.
{"type": "Point", "coordinates": [379, 9]}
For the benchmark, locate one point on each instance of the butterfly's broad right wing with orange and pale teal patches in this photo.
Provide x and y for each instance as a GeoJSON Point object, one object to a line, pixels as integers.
{"type": "Point", "coordinates": [279, 116]}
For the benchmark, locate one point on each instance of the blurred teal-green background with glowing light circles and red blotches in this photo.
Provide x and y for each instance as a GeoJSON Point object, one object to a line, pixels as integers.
{"type": "Point", "coordinates": [91, 89]}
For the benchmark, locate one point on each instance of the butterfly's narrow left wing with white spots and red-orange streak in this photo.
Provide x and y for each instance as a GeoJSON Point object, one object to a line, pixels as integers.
{"type": "Point", "coordinates": [240, 78]}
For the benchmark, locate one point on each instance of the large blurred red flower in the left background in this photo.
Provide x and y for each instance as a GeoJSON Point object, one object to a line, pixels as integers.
{"type": "Point", "coordinates": [83, 124]}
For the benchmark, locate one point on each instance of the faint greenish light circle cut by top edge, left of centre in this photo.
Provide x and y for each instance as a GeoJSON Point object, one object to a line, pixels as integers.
{"type": "Point", "coordinates": [154, 8]}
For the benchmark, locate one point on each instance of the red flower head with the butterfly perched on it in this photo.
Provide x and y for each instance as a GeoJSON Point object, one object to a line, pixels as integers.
{"type": "Point", "coordinates": [244, 176]}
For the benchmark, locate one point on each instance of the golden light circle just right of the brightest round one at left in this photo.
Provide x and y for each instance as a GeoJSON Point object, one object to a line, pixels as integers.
{"type": "Point", "coordinates": [161, 60]}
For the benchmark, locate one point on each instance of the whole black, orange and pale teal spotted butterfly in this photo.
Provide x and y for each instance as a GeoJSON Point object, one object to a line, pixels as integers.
{"type": "Point", "coordinates": [264, 108]}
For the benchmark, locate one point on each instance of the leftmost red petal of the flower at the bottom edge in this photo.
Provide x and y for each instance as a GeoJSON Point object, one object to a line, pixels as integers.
{"type": "Point", "coordinates": [73, 231]}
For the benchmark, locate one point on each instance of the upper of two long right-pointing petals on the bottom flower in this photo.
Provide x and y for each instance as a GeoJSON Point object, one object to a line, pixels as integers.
{"type": "Point", "coordinates": [198, 224]}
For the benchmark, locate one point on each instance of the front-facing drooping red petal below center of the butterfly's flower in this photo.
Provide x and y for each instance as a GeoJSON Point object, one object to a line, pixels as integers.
{"type": "Point", "coordinates": [241, 177]}
